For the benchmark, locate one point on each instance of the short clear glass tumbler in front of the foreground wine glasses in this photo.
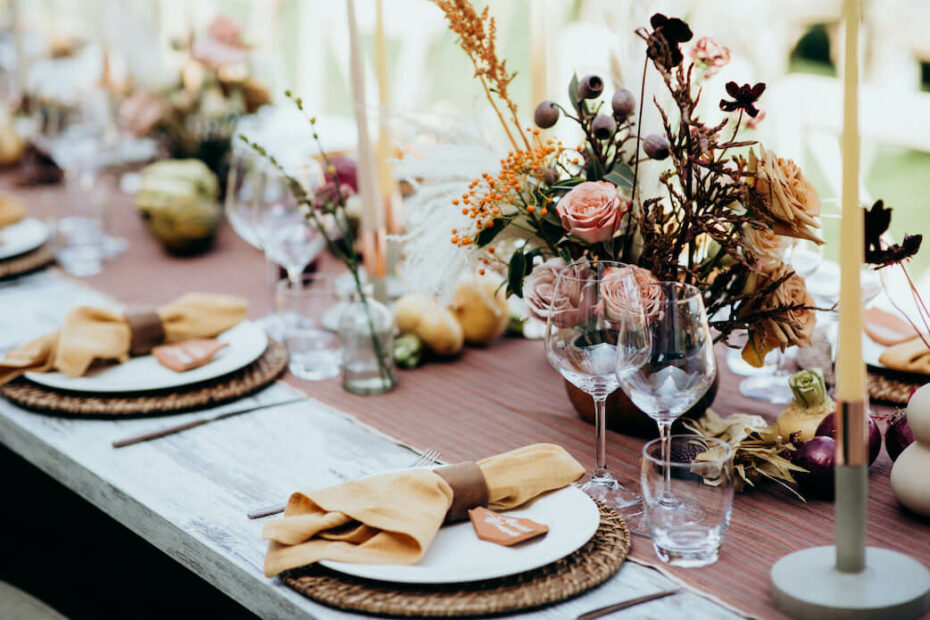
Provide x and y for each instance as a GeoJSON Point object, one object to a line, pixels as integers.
{"type": "Point", "coordinates": [698, 471]}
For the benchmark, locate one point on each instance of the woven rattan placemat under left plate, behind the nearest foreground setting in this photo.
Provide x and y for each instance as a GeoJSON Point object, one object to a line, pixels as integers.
{"type": "Point", "coordinates": [252, 378]}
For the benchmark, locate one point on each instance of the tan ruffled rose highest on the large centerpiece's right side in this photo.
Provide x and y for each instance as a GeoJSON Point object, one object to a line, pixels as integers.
{"type": "Point", "coordinates": [793, 201]}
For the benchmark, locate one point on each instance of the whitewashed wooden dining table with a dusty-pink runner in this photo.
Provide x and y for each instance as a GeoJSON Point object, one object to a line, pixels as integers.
{"type": "Point", "coordinates": [188, 494]}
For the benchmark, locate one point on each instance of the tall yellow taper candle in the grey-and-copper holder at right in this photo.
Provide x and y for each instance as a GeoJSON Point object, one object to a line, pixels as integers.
{"type": "Point", "coordinates": [850, 369]}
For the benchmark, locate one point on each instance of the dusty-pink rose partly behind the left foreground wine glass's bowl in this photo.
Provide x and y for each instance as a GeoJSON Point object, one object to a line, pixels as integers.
{"type": "Point", "coordinates": [568, 306]}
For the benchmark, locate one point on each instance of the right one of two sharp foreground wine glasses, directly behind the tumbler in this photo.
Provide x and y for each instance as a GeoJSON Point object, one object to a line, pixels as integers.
{"type": "Point", "coordinates": [665, 358]}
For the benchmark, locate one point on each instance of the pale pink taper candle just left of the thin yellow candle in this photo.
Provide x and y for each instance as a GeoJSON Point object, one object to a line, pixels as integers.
{"type": "Point", "coordinates": [372, 219]}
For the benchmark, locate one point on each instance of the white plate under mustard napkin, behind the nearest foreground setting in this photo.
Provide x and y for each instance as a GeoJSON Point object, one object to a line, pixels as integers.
{"type": "Point", "coordinates": [247, 341]}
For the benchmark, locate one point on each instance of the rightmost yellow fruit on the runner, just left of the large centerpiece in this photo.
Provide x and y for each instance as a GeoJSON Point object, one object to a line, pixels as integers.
{"type": "Point", "coordinates": [481, 308]}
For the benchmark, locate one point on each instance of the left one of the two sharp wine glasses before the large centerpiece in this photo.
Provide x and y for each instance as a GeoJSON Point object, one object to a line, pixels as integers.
{"type": "Point", "coordinates": [581, 338]}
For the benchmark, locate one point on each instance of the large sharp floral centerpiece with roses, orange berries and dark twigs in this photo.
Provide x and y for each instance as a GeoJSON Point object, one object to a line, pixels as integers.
{"type": "Point", "coordinates": [726, 210]}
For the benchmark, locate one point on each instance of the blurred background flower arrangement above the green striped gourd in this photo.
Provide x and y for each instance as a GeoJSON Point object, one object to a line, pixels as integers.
{"type": "Point", "coordinates": [195, 117]}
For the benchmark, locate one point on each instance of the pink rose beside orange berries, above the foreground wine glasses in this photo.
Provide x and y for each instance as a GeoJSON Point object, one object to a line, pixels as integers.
{"type": "Point", "coordinates": [592, 211]}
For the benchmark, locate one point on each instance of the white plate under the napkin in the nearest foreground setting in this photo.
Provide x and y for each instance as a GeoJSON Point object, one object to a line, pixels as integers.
{"type": "Point", "coordinates": [457, 555]}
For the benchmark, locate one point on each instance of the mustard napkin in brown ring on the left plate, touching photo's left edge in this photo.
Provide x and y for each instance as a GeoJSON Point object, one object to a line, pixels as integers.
{"type": "Point", "coordinates": [90, 334]}
